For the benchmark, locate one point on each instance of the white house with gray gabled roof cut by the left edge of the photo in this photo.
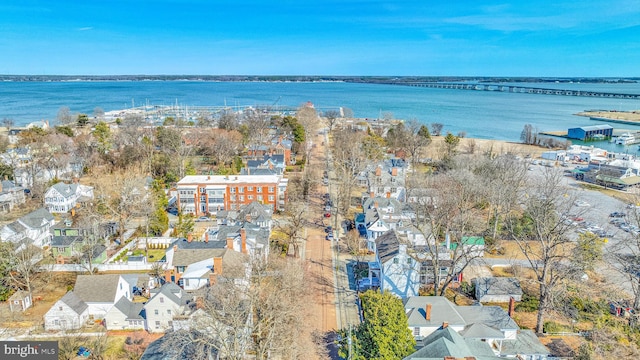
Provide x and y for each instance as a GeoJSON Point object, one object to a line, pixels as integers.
{"type": "Point", "coordinates": [32, 228]}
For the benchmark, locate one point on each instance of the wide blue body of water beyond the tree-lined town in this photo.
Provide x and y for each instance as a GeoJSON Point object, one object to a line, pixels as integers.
{"type": "Point", "coordinates": [481, 114]}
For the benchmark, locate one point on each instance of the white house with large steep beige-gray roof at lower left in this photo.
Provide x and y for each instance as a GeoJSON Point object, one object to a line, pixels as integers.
{"type": "Point", "coordinates": [101, 292]}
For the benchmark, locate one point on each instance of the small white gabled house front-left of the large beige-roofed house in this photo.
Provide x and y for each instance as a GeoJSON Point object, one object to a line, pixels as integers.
{"type": "Point", "coordinates": [68, 313]}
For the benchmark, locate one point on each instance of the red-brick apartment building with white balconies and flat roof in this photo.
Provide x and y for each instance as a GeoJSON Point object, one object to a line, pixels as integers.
{"type": "Point", "coordinates": [202, 195]}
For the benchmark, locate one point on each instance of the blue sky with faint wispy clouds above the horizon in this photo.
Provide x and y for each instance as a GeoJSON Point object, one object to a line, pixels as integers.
{"type": "Point", "coordinates": [321, 37]}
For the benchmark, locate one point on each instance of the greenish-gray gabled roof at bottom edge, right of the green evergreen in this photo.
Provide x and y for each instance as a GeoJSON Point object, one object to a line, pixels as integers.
{"type": "Point", "coordinates": [447, 342]}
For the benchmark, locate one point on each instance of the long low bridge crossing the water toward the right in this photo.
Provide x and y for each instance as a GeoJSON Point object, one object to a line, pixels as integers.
{"type": "Point", "coordinates": [517, 89]}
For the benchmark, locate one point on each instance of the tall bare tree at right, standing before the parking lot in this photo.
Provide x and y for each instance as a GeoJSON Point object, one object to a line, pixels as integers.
{"type": "Point", "coordinates": [545, 240]}
